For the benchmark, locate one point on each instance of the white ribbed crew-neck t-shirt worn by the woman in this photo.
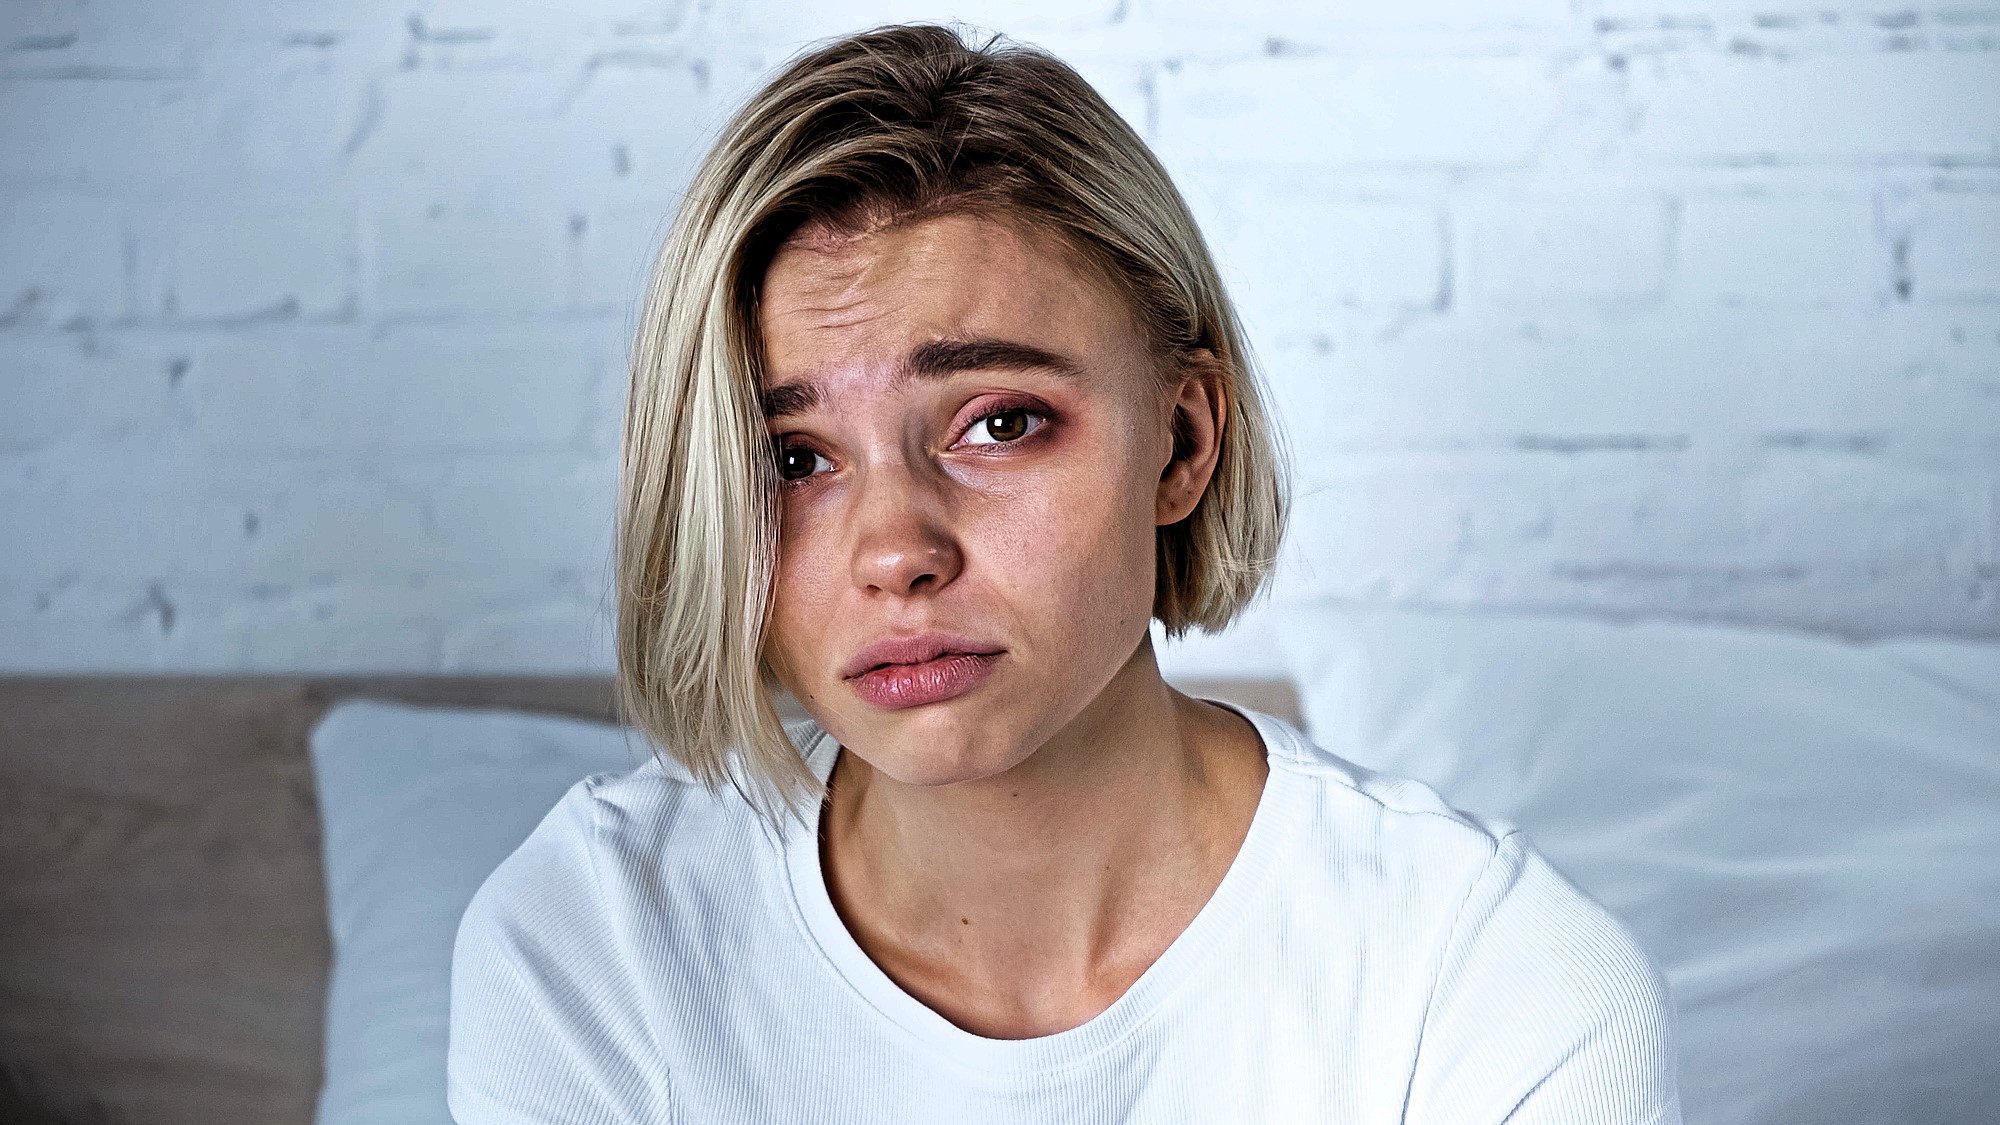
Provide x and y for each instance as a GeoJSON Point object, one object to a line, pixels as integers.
{"type": "Point", "coordinates": [655, 954]}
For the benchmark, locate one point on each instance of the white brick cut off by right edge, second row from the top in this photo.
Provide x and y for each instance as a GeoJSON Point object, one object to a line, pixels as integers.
{"type": "Point", "coordinates": [1901, 105]}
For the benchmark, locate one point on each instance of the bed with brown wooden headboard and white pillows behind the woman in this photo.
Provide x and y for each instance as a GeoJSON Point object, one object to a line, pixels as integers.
{"type": "Point", "coordinates": [213, 910]}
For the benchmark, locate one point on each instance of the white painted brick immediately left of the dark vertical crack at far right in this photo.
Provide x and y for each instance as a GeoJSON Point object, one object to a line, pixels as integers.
{"type": "Point", "coordinates": [1779, 251]}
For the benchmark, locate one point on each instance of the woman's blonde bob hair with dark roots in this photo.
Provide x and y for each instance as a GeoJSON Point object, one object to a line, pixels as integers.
{"type": "Point", "coordinates": [871, 131]}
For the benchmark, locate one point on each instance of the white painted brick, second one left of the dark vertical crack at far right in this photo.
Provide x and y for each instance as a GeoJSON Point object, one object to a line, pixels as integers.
{"type": "Point", "coordinates": [1559, 249]}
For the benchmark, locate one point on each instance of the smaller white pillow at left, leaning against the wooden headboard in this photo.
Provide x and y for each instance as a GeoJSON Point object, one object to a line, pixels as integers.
{"type": "Point", "coordinates": [417, 808]}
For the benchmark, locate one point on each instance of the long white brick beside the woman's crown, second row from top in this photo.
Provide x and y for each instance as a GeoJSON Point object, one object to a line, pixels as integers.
{"type": "Point", "coordinates": [1389, 111]}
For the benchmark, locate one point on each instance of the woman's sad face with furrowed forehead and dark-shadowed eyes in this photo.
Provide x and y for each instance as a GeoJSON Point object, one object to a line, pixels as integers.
{"type": "Point", "coordinates": [971, 439]}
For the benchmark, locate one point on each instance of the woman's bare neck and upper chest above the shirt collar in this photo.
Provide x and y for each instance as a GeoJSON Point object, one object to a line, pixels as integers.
{"type": "Point", "coordinates": [1027, 902]}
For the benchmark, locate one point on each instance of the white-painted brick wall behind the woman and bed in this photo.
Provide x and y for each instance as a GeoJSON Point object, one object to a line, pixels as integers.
{"type": "Point", "coordinates": [313, 315]}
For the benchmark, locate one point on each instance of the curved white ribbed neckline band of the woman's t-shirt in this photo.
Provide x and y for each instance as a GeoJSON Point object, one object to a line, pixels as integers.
{"type": "Point", "coordinates": [1269, 838]}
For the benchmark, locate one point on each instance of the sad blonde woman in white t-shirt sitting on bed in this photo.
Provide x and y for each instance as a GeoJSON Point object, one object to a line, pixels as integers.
{"type": "Point", "coordinates": [937, 403]}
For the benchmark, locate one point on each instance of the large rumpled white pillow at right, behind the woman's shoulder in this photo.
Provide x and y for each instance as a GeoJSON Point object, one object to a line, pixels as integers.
{"type": "Point", "coordinates": [1803, 832]}
